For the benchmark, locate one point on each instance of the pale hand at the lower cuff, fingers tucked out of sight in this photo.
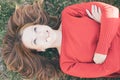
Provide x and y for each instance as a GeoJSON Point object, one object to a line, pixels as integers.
{"type": "Point", "coordinates": [99, 58]}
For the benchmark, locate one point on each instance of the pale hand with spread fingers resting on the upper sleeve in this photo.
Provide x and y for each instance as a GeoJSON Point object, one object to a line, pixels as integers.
{"type": "Point", "coordinates": [95, 14]}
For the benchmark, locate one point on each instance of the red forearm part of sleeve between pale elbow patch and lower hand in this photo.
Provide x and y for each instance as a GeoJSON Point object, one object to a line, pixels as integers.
{"type": "Point", "coordinates": [108, 30]}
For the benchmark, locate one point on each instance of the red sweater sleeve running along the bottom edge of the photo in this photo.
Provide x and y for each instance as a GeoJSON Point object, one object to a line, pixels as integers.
{"type": "Point", "coordinates": [89, 70]}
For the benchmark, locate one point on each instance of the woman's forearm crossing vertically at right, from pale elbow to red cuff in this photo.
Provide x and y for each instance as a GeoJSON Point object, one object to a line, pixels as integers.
{"type": "Point", "coordinates": [108, 29]}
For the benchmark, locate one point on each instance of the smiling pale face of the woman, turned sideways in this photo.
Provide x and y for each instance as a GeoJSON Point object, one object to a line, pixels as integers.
{"type": "Point", "coordinates": [39, 37]}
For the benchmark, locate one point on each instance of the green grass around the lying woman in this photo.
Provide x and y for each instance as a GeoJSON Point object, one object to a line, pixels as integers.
{"type": "Point", "coordinates": [53, 7]}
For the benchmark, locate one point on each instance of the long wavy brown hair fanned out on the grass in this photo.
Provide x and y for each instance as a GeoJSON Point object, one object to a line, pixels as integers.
{"type": "Point", "coordinates": [20, 59]}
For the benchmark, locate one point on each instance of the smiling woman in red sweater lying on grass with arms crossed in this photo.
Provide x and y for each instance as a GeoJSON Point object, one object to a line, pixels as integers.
{"type": "Point", "coordinates": [28, 33]}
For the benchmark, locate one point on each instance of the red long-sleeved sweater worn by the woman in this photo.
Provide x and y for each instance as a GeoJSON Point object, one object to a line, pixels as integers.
{"type": "Point", "coordinates": [82, 37]}
